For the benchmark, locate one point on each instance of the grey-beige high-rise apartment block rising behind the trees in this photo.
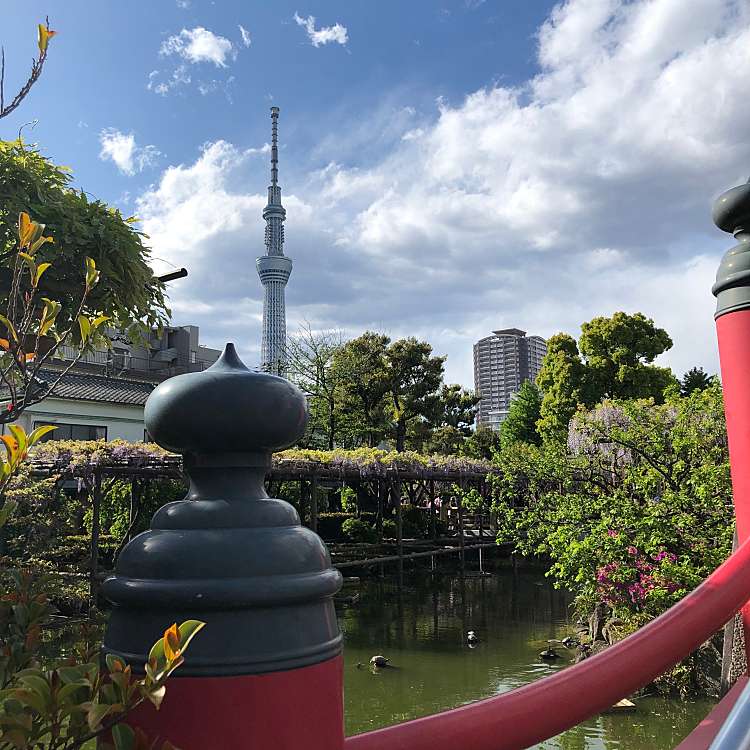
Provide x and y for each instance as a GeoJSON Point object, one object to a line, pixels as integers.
{"type": "Point", "coordinates": [502, 362]}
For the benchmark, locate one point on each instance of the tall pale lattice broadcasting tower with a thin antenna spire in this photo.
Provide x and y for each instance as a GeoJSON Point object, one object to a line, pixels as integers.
{"type": "Point", "coordinates": [274, 268]}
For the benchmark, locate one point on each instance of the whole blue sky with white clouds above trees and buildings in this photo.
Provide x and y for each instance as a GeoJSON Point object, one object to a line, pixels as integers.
{"type": "Point", "coordinates": [448, 167]}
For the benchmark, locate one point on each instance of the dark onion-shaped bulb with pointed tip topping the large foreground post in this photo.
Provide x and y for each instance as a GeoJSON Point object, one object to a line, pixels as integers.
{"type": "Point", "coordinates": [226, 409]}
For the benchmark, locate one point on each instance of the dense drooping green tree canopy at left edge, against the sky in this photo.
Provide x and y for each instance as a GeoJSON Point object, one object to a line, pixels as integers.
{"type": "Point", "coordinates": [130, 295]}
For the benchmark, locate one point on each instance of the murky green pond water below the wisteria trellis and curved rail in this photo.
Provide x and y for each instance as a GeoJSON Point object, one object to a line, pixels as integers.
{"type": "Point", "coordinates": [421, 626]}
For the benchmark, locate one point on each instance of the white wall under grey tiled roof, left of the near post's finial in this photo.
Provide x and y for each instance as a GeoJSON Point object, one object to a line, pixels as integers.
{"type": "Point", "coordinates": [123, 421]}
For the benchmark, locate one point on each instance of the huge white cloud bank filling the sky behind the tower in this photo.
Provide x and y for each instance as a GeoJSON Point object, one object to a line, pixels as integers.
{"type": "Point", "coordinates": [584, 191]}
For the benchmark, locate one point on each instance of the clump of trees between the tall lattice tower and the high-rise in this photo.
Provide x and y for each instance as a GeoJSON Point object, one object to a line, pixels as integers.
{"type": "Point", "coordinates": [371, 389]}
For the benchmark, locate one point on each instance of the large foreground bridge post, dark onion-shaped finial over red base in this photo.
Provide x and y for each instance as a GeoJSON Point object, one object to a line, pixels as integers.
{"type": "Point", "coordinates": [266, 671]}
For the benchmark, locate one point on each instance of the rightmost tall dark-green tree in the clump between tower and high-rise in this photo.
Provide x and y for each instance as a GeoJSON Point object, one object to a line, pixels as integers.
{"type": "Point", "coordinates": [414, 378]}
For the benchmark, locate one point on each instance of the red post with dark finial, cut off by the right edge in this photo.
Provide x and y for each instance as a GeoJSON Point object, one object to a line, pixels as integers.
{"type": "Point", "coordinates": [731, 213]}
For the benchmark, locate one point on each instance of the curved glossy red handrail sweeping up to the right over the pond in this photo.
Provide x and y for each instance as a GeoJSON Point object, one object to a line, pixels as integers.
{"type": "Point", "coordinates": [520, 718]}
